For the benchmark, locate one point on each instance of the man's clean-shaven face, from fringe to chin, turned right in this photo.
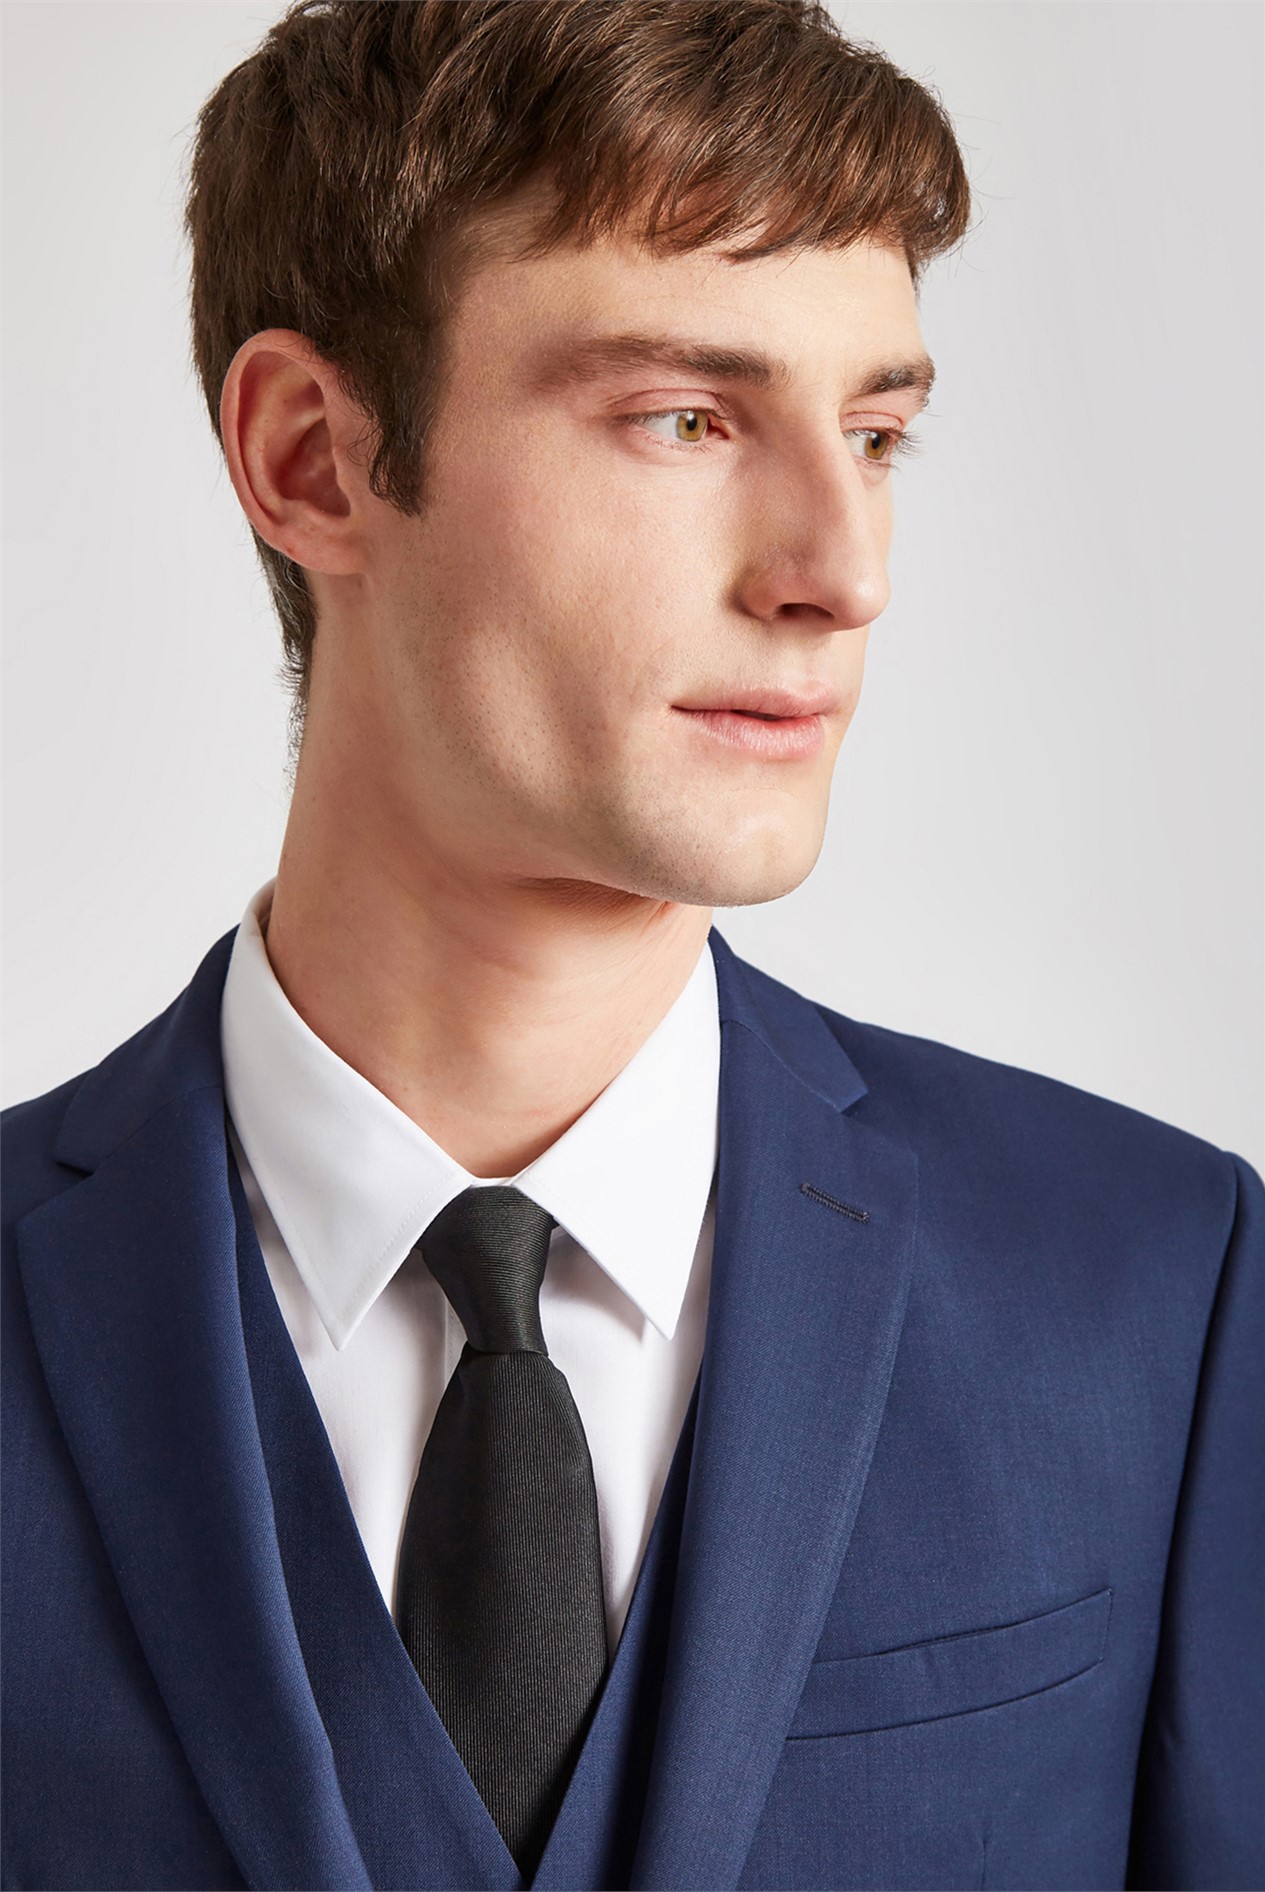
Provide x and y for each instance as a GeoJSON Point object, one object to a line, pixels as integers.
{"type": "Point", "coordinates": [536, 646]}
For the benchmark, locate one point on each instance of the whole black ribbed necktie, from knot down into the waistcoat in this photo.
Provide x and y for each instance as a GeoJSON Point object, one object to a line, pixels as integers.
{"type": "Point", "coordinates": [500, 1596]}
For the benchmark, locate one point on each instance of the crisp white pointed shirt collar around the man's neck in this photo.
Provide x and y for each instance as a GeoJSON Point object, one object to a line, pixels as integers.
{"type": "Point", "coordinates": [353, 1182]}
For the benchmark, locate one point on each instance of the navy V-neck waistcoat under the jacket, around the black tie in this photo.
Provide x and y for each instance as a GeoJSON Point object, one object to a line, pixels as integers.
{"type": "Point", "coordinates": [413, 1808]}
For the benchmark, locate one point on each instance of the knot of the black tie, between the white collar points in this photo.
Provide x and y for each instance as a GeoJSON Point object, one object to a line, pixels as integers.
{"type": "Point", "coordinates": [489, 1252]}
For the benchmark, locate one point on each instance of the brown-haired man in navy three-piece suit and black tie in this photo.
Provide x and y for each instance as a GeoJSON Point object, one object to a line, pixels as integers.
{"type": "Point", "coordinates": [498, 1390]}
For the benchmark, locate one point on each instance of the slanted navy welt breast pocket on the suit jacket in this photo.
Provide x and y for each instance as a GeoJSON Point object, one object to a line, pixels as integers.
{"type": "Point", "coordinates": [954, 1675]}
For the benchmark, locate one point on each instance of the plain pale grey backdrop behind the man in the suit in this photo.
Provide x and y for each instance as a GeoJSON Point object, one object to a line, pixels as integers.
{"type": "Point", "coordinates": [1047, 833]}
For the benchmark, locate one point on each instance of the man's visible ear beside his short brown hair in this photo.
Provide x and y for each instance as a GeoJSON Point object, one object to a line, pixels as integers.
{"type": "Point", "coordinates": [290, 438]}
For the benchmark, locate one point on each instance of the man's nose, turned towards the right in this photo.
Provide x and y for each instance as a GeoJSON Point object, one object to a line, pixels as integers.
{"type": "Point", "coordinates": [816, 531]}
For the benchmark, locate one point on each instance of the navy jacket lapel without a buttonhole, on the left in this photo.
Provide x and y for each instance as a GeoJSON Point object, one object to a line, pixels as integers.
{"type": "Point", "coordinates": [131, 1284]}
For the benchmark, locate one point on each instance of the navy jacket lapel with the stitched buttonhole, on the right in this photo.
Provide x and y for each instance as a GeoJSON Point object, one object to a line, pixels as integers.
{"type": "Point", "coordinates": [816, 1219]}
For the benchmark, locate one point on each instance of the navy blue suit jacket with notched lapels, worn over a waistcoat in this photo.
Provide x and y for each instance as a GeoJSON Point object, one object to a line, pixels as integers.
{"type": "Point", "coordinates": [969, 1573]}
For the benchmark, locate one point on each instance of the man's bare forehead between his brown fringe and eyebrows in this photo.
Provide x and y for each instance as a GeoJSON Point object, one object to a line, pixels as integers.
{"type": "Point", "coordinates": [816, 311]}
